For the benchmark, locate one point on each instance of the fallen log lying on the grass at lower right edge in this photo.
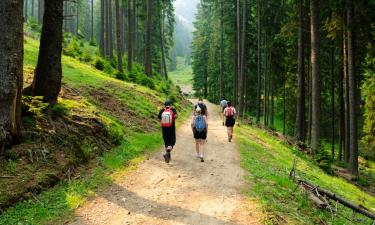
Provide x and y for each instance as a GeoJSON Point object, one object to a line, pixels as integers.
{"type": "Point", "coordinates": [357, 208]}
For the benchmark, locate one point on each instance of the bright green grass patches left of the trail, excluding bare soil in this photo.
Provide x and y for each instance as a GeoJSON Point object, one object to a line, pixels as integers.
{"type": "Point", "coordinates": [58, 203]}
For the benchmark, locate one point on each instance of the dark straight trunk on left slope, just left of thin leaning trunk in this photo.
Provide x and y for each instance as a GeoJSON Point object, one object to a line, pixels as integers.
{"type": "Point", "coordinates": [148, 56]}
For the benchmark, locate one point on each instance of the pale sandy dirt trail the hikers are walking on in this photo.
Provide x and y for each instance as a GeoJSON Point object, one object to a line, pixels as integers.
{"type": "Point", "coordinates": [185, 191]}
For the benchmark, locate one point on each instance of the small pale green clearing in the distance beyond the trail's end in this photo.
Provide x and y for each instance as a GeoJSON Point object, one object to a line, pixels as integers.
{"type": "Point", "coordinates": [183, 75]}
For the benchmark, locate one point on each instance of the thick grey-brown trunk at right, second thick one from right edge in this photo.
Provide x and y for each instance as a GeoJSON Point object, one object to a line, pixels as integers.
{"type": "Point", "coordinates": [315, 74]}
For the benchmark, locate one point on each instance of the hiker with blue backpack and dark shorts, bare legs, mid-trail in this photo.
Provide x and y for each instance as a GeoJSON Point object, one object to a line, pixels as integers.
{"type": "Point", "coordinates": [199, 126]}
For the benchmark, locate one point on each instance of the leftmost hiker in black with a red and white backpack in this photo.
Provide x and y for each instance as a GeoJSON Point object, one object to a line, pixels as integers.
{"type": "Point", "coordinates": [167, 117]}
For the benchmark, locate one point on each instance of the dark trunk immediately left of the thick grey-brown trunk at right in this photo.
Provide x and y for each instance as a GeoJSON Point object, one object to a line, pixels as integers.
{"type": "Point", "coordinates": [300, 118]}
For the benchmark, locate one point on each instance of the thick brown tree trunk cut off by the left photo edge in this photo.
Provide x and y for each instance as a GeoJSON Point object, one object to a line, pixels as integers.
{"type": "Point", "coordinates": [11, 74]}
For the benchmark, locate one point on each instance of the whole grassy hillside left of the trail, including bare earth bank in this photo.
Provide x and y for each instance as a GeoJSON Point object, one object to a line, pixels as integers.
{"type": "Point", "coordinates": [101, 126]}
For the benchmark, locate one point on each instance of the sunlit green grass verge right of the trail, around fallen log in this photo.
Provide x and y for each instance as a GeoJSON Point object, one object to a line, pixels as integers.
{"type": "Point", "coordinates": [268, 162]}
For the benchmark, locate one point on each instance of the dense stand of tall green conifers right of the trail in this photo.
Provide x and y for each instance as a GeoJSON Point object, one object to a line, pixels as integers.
{"type": "Point", "coordinates": [304, 68]}
